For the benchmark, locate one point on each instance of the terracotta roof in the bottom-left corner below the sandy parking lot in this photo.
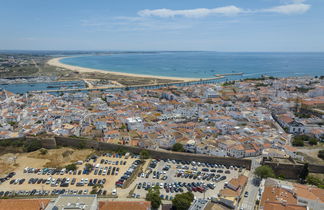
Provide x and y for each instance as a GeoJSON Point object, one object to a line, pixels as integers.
{"type": "Point", "coordinates": [23, 204]}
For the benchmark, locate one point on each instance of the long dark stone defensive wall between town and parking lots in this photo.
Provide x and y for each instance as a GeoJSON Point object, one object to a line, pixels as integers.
{"type": "Point", "coordinates": [288, 170]}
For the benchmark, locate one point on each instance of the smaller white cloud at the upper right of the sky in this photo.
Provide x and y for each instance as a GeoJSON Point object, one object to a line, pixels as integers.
{"type": "Point", "coordinates": [297, 8]}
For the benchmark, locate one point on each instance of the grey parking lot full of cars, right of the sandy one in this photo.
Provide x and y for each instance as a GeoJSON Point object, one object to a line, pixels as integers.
{"type": "Point", "coordinates": [173, 177]}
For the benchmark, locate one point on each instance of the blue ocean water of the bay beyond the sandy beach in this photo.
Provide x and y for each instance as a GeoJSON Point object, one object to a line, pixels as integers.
{"type": "Point", "coordinates": [206, 64]}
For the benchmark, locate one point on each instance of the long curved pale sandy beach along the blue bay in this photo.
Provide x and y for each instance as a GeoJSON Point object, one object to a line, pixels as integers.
{"type": "Point", "coordinates": [56, 62]}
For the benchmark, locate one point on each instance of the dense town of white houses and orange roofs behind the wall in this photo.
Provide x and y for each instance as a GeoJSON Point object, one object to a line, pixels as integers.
{"type": "Point", "coordinates": [240, 119]}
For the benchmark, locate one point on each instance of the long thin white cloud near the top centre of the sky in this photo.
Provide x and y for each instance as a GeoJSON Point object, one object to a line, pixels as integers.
{"type": "Point", "coordinates": [200, 12]}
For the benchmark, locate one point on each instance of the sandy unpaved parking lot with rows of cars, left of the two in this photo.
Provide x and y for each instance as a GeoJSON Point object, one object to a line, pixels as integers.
{"type": "Point", "coordinates": [106, 170]}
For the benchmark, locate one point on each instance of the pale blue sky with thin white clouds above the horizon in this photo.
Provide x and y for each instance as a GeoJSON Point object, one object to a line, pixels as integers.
{"type": "Point", "coordinates": [212, 25]}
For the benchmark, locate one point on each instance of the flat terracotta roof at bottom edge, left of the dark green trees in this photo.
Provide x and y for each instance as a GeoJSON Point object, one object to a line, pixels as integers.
{"type": "Point", "coordinates": [122, 205]}
